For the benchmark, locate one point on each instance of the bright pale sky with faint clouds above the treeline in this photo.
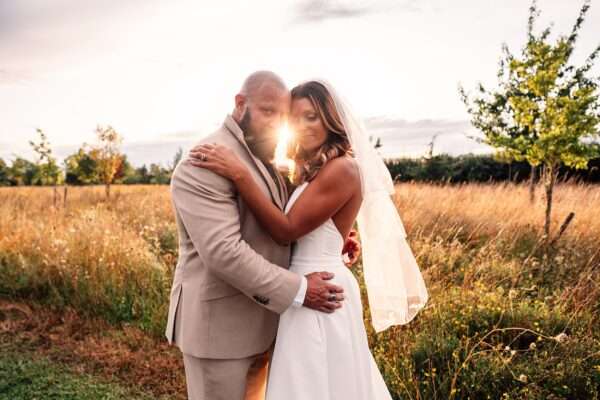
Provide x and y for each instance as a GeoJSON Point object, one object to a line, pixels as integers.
{"type": "Point", "coordinates": [164, 73]}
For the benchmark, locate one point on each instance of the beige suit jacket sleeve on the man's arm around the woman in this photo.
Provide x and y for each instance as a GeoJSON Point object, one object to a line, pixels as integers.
{"type": "Point", "coordinates": [207, 205]}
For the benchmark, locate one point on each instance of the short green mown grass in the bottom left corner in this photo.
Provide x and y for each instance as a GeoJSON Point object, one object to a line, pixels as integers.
{"type": "Point", "coordinates": [23, 377]}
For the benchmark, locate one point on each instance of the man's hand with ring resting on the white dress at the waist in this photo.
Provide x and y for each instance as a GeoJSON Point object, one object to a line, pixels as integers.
{"type": "Point", "coordinates": [322, 295]}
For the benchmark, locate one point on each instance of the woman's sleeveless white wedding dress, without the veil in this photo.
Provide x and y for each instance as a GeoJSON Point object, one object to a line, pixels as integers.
{"type": "Point", "coordinates": [318, 355]}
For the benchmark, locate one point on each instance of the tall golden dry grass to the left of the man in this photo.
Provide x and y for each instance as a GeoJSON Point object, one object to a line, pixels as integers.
{"type": "Point", "coordinates": [114, 259]}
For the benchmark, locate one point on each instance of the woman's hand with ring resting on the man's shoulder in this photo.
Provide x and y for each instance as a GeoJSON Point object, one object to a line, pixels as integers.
{"type": "Point", "coordinates": [218, 159]}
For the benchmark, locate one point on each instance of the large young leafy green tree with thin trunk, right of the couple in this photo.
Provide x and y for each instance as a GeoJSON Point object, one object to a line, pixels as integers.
{"type": "Point", "coordinates": [545, 110]}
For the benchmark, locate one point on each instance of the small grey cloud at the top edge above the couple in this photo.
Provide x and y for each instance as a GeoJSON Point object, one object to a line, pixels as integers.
{"type": "Point", "coordinates": [310, 11]}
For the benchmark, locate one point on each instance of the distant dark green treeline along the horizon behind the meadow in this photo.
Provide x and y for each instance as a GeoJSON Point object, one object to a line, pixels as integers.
{"type": "Point", "coordinates": [81, 169]}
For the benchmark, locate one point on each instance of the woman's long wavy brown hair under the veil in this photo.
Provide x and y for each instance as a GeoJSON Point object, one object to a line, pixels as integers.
{"type": "Point", "coordinates": [336, 145]}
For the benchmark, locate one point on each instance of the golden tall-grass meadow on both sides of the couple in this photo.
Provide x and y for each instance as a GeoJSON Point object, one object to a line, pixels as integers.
{"type": "Point", "coordinates": [508, 316]}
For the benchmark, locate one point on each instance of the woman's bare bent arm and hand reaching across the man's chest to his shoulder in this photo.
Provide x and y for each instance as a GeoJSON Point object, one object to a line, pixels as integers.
{"type": "Point", "coordinates": [333, 187]}
